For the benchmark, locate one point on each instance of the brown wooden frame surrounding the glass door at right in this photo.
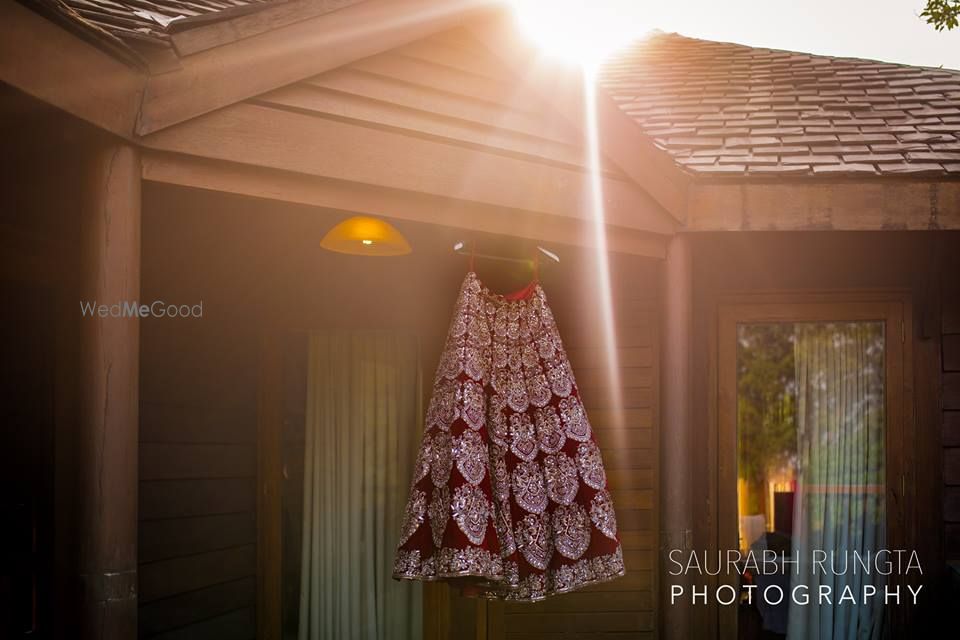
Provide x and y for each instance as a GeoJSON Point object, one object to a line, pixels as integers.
{"type": "Point", "coordinates": [893, 307]}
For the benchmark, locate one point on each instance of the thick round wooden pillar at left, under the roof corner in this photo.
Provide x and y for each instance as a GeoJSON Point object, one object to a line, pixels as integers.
{"type": "Point", "coordinates": [107, 433]}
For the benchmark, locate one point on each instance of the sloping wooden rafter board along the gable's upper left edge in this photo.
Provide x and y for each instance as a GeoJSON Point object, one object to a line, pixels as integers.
{"type": "Point", "coordinates": [224, 75]}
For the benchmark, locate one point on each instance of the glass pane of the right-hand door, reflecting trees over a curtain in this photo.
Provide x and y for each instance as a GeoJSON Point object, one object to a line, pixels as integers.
{"type": "Point", "coordinates": [810, 468]}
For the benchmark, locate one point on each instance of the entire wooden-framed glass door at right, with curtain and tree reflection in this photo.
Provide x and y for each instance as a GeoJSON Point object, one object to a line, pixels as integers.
{"type": "Point", "coordinates": [813, 466]}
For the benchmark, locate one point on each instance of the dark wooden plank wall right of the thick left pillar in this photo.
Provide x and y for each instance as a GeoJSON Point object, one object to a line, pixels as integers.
{"type": "Point", "coordinates": [197, 512]}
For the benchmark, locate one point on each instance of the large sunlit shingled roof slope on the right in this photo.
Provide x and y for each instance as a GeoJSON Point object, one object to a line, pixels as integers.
{"type": "Point", "coordinates": [728, 110]}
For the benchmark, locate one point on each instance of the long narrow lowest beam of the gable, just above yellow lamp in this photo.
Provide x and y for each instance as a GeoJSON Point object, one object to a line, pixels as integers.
{"type": "Point", "coordinates": [228, 177]}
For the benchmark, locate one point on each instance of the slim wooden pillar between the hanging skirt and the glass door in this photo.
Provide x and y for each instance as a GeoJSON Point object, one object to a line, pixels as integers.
{"type": "Point", "coordinates": [676, 435]}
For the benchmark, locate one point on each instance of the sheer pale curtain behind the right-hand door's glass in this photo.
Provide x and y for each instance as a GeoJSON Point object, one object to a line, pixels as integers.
{"type": "Point", "coordinates": [839, 507]}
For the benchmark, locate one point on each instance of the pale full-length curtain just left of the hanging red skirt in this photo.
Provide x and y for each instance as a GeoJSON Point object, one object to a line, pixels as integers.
{"type": "Point", "coordinates": [362, 426]}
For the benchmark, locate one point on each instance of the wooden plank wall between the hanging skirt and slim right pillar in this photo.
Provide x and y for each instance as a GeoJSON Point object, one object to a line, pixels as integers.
{"type": "Point", "coordinates": [625, 607]}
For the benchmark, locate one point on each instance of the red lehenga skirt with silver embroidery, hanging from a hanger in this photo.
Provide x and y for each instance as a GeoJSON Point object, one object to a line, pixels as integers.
{"type": "Point", "coordinates": [509, 494]}
